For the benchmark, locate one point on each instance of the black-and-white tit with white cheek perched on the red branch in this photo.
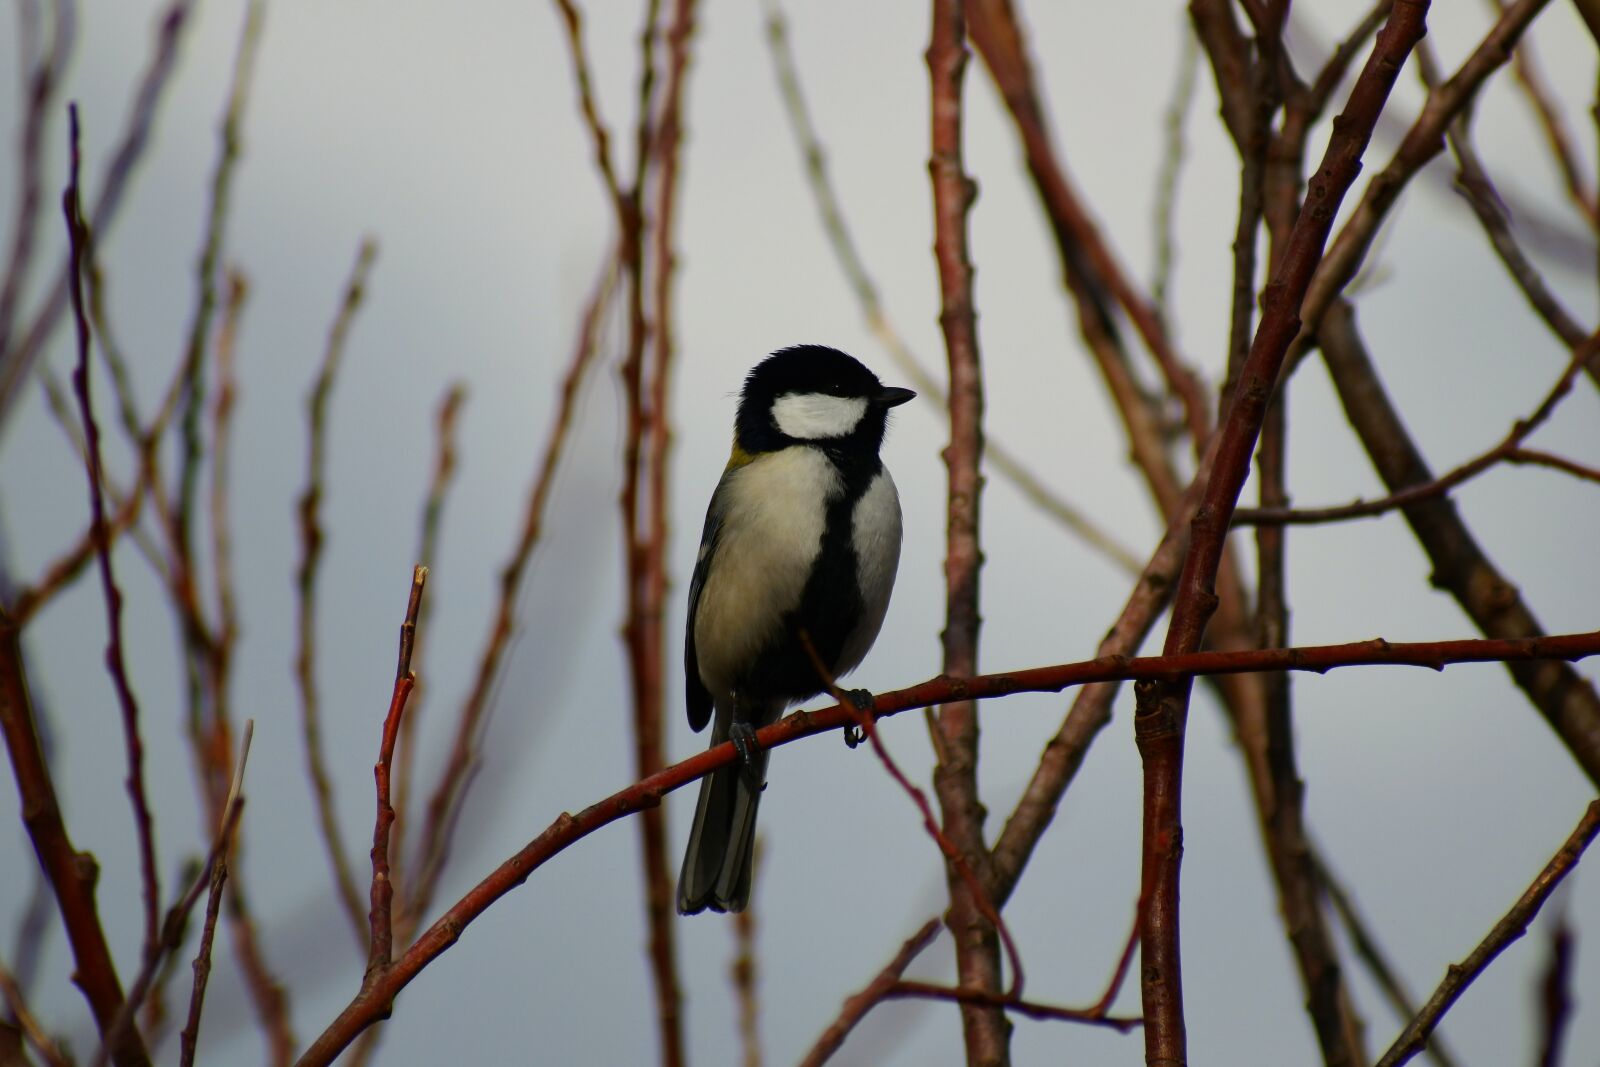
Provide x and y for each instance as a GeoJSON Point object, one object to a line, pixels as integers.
{"type": "Point", "coordinates": [801, 546]}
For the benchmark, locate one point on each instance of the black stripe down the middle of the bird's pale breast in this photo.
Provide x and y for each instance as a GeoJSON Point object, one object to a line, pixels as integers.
{"type": "Point", "coordinates": [831, 604]}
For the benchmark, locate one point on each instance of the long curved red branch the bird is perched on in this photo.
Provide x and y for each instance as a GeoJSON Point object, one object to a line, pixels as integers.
{"type": "Point", "coordinates": [372, 1004]}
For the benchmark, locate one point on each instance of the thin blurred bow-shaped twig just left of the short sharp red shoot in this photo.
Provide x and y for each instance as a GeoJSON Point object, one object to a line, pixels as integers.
{"type": "Point", "coordinates": [306, 586]}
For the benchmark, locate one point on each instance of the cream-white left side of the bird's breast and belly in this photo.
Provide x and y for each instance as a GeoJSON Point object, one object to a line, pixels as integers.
{"type": "Point", "coordinates": [772, 530]}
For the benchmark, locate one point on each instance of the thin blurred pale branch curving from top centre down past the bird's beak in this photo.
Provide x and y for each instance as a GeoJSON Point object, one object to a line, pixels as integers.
{"type": "Point", "coordinates": [833, 217]}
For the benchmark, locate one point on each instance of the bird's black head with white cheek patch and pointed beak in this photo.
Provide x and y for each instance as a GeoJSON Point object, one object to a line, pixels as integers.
{"type": "Point", "coordinates": [814, 394]}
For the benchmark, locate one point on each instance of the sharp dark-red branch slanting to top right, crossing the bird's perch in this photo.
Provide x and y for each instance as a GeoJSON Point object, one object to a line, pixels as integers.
{"type": "Point", "coordinates": [1162, 713]}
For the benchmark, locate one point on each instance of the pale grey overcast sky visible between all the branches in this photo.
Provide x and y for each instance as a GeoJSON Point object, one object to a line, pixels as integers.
{"type": "Point", "coordinates": [457, 143]}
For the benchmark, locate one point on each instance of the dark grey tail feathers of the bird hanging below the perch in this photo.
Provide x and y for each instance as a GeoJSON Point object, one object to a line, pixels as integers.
{"type": "Point", "coordinates": [722, 845]}
